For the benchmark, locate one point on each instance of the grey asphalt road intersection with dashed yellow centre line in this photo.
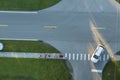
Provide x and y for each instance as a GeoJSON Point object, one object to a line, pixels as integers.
{"type": "Point", "coordinates": [73, 30]}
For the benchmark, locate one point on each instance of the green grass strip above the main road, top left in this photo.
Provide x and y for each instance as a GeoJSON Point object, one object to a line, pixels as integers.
{"type": "Point", "coordinates": [28, 5]}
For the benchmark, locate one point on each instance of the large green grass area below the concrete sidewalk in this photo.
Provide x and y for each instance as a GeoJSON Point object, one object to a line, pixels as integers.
{"type": "Point", "coordinates": [33, 69]}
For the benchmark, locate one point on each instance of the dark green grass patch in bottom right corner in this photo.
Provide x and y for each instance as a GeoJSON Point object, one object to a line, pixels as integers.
{"type": "Point", "coordinates": [112, 71]}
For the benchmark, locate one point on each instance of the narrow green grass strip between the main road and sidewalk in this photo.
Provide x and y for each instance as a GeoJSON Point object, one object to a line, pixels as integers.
{"type": "Point", "coordinates": [27, 46]}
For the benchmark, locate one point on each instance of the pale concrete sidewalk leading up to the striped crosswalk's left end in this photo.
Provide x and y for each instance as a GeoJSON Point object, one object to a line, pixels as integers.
{"type": "Point", "coordinates": [32, 55]}
